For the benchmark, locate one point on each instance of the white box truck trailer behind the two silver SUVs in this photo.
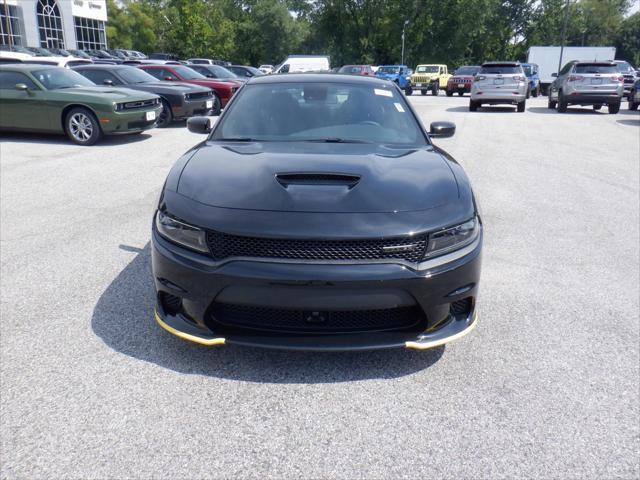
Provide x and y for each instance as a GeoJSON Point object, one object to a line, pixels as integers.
{"type": "Point", "coordinates": [547, 59]}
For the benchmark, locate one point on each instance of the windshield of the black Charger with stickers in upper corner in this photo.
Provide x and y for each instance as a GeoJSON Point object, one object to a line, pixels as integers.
{"type": "Point", "coordinates": [320, 112]}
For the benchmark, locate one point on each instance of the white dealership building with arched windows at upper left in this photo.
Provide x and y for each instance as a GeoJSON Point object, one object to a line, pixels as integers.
{"type": "Point", "coordinates": [74, 24]}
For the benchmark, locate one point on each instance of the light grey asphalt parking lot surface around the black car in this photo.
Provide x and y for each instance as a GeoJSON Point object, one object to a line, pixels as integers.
{"type": "Point", "coordinates": [546, 386]}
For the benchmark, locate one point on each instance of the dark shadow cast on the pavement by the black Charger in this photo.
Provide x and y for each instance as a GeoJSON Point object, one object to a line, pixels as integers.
{"type": "Point", "coordinates": [123, 319]}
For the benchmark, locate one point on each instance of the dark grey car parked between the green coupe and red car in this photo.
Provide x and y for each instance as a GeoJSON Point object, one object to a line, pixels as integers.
{"type": "Point", "coordinates": [179, 100]}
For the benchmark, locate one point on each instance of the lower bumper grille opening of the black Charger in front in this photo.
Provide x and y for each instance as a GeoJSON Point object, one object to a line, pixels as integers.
{"type": "Point", "coordinates": [310, 321]}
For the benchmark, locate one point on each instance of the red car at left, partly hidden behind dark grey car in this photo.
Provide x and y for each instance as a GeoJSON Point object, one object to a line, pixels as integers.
{"type": "Point", "coordinates": [223, 89]}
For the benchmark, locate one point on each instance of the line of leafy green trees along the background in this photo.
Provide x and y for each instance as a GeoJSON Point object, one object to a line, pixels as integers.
{"type": "Point", "coordinates": [369, 31]}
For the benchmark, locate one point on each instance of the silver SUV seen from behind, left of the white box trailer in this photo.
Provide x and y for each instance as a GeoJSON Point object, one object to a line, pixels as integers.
{"type": "Point", "coordinates": [499, 83]}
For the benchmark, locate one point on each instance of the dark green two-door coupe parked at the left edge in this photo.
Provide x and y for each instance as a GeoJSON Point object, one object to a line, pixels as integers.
{"type": "Point", "coordinates": [41, 98]}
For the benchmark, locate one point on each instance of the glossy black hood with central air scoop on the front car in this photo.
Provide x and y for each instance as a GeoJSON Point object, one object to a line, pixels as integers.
{"type": "Point", "coordinates": [278, 176]}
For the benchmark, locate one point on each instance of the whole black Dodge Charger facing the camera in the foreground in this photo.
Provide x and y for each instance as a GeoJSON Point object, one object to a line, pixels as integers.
{"type": "Point", "coordinates": [317, 215]}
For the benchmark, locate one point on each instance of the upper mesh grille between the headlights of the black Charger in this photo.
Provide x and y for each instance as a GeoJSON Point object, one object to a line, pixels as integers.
{"type": "Point", "coordinates": [409, 248]}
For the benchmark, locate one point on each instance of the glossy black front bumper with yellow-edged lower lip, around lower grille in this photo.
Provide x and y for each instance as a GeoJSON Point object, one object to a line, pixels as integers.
{"type": "Point", "coordinates": [201, 284]}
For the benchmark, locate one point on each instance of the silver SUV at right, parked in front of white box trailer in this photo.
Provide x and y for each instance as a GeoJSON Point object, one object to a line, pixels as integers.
{"type": "Point", "coordinates": [587, 83]}
